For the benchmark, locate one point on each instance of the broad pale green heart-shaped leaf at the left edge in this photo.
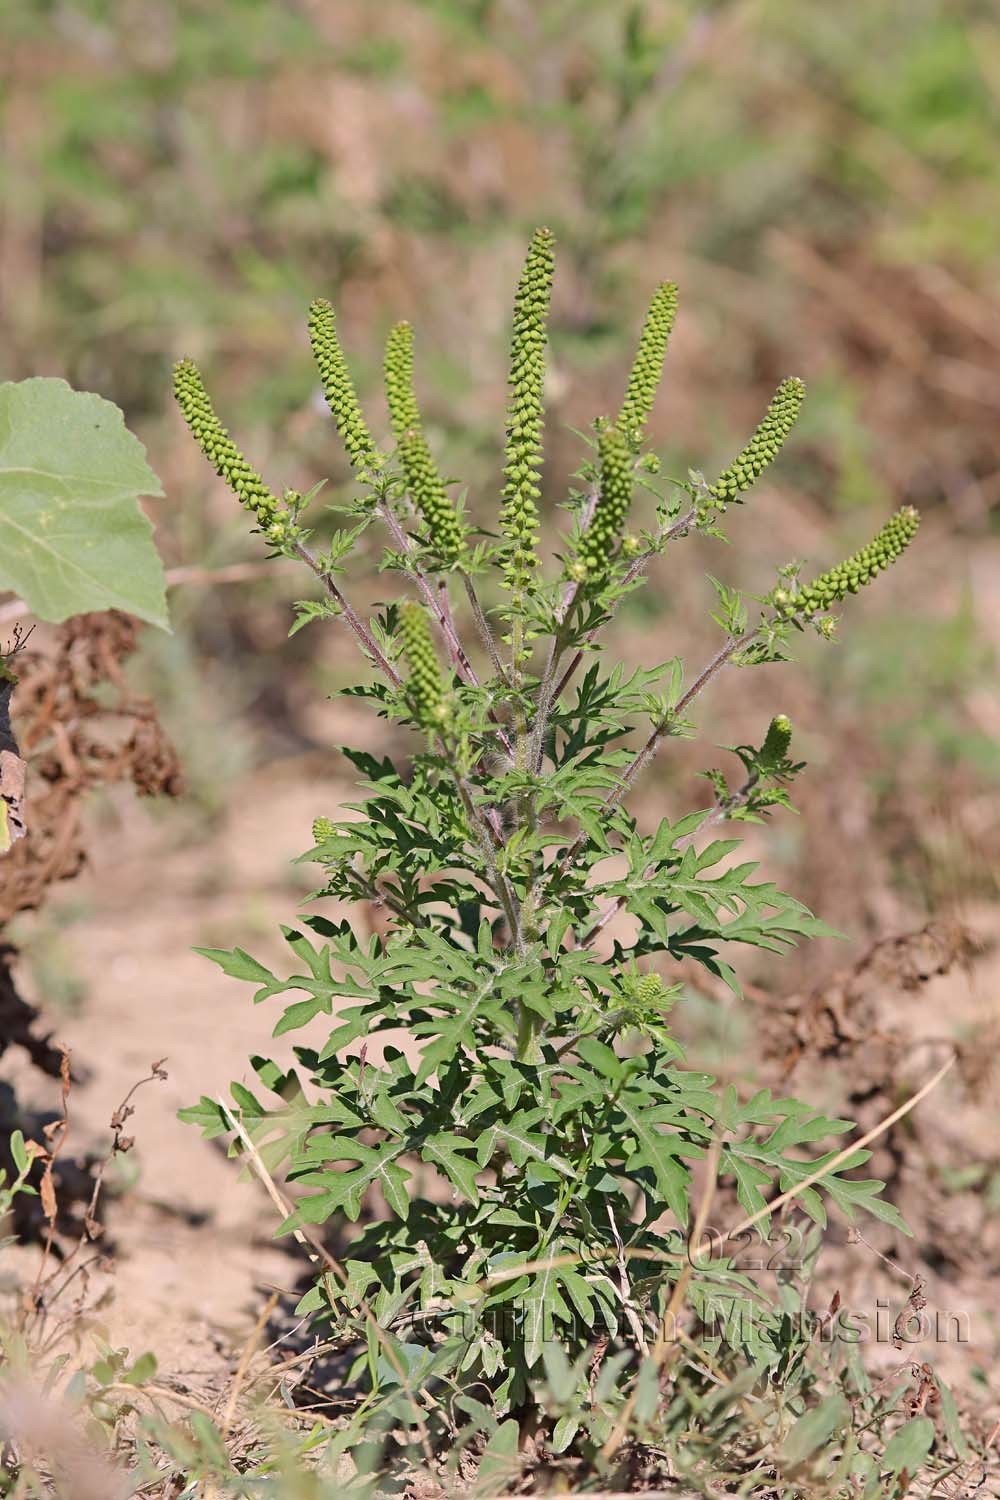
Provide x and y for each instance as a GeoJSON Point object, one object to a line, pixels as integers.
{"type": "Point", "coordinates": [73, 536]}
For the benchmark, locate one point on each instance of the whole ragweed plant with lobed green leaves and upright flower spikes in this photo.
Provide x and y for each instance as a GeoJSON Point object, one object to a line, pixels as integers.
{"type": "Point", "coordinates": [500, 1100]}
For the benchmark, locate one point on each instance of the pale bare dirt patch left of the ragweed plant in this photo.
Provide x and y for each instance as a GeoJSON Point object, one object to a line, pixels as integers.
{"type": "Point", "coordinates": [194, 1250]}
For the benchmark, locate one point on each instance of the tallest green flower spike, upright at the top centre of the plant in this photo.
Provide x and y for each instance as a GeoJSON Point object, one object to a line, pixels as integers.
{"type": "Point", "coordinates": [525, 415]}
